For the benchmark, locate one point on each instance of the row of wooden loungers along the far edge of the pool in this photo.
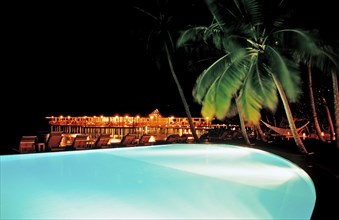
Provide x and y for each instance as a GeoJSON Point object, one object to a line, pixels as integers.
{"type": "Point", "coordinates": [30, 144]}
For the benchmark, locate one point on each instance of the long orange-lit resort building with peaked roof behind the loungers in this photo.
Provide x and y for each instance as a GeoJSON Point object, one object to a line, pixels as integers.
{"type": "Point", "coordinates": [118, 126]}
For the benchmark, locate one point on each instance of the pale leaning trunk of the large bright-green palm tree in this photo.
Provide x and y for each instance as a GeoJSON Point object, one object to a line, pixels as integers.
{"type": "Point", "coordinates": [289, 116]}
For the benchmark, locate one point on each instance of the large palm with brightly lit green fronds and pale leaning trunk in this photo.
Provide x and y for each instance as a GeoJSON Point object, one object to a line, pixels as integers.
{"type": "Point", "coordinates": [257, 67]}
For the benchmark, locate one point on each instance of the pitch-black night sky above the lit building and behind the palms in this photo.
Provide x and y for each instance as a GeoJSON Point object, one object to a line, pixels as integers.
{"type": "Point", "coordinates": [91, 59]}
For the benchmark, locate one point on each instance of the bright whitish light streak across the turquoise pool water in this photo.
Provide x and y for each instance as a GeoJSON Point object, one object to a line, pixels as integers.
{"type": "Point", "coordinates": [222, 163]}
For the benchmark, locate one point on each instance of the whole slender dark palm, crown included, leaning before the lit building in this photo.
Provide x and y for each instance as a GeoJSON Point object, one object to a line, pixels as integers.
{"type": "Point", "coordinates": [162, 31]}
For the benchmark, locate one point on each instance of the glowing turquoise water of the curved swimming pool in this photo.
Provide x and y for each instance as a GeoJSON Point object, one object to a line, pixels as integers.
{"type": "Point", "coordinates": [179, 181]}
